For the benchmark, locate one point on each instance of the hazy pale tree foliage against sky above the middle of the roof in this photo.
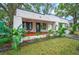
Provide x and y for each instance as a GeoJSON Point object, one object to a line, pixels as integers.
{"type": "Point", "coordinates": [43, 8]}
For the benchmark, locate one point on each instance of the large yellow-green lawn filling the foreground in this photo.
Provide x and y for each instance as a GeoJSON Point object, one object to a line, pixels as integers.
{"type": "Point", "coordinates": [52, 46]}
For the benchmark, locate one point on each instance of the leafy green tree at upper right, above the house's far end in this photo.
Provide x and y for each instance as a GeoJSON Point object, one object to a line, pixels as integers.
{"type": "Point", "coordinates": [66, 9]}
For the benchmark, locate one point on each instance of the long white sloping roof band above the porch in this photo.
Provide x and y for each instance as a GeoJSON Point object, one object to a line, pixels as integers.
{"type": "Point", "coordinates": [32, 15]}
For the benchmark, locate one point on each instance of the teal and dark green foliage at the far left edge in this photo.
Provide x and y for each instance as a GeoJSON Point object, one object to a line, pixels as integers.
{"type": "Point", "coordinates": [5, 33]}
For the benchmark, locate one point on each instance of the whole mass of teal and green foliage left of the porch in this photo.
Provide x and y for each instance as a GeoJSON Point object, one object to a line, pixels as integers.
{"type": "Point", "coordinates": [10, 35]}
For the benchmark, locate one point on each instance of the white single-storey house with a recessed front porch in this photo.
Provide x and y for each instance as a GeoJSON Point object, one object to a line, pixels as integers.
{"type": "Point", "coordinates": [34, 22]}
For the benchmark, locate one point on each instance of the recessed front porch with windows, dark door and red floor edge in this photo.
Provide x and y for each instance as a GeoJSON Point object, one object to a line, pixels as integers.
{"type": "Point", "coordinates": [36, 27]}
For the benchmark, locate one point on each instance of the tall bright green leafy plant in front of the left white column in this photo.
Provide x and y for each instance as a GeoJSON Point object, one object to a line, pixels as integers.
{"type": "Point", "coordinates": [16, 38]}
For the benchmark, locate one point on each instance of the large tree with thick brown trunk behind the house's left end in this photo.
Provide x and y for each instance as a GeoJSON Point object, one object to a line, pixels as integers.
{"type": "Point", "coordinates": [10, 9]}
